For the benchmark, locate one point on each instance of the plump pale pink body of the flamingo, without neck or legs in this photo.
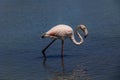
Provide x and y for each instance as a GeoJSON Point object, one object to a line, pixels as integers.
{"type": "Point", "coordinates": [59, 31]}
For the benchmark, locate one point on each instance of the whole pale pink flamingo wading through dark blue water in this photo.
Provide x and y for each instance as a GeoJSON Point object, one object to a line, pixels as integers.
{"type": "Point", "coordinates": [62, 31]}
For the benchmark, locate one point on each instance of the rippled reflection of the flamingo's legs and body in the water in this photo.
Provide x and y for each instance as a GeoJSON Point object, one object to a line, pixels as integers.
{"type": "Point", "coordinates": [79, 73]}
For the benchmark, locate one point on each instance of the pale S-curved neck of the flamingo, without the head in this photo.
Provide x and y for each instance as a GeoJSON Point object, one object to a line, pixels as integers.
{"type": "Point", "coordinates": [73, 38]}
